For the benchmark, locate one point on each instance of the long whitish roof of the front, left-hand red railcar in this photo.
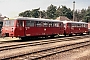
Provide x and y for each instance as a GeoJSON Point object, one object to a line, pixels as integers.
{"type": "Point", "coordinates": [35, 19]}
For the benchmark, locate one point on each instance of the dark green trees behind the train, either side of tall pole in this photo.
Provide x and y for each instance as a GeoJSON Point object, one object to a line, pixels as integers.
{"type": "Point", "coordinates": [52, 12]}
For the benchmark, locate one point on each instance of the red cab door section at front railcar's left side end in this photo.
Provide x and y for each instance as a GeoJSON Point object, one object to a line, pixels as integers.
{"type": "Point", "coordinates": [21, 28]}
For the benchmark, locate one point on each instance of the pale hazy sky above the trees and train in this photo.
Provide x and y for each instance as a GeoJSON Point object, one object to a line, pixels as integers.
{"type": "Point", "coordinates": [11, 8]}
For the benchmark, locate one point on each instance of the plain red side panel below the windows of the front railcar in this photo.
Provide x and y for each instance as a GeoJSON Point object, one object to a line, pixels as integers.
{"type": "Point", "coordinates": [43, 30]}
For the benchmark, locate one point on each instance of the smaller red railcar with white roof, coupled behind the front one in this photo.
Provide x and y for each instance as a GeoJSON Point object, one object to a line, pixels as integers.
{"type": "Point", "coordinates": [75, 27]}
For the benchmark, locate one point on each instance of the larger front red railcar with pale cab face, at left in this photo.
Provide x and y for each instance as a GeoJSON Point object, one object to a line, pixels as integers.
{"type": "Point", "coordinates": [26, 27]}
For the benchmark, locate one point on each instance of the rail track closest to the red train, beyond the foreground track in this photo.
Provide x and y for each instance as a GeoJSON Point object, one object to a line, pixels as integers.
{"type": "Point", "coordinates": [7, 46]}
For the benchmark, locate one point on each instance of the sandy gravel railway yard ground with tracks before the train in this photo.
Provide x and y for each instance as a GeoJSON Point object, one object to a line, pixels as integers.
{"type": "Point", "coordinates": [58, 48]}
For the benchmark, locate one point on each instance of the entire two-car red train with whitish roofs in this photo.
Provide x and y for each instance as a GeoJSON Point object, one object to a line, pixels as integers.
{"type": "Point", "coordinates": [30, 27]}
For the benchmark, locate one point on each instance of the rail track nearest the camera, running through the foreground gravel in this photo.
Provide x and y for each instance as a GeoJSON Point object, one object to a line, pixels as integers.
{"type": "Point", "coordinates": [53, 50]}
